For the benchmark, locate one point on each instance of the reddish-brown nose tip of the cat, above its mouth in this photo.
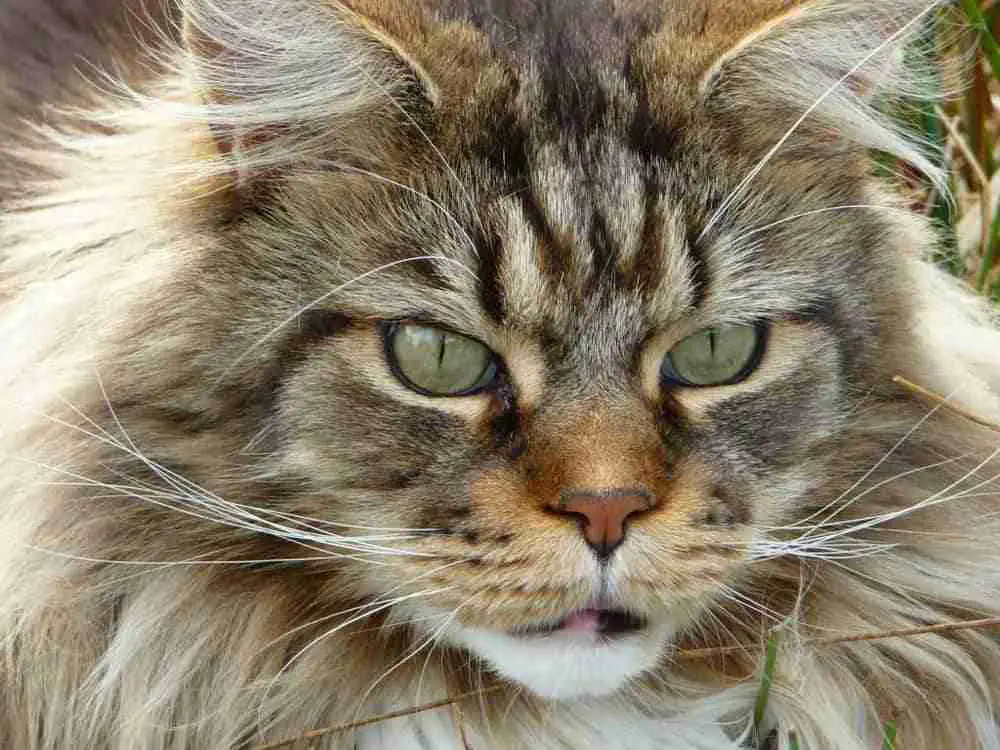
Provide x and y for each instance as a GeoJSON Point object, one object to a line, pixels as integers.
{"type": "Point", "coordinates": [603, 514]}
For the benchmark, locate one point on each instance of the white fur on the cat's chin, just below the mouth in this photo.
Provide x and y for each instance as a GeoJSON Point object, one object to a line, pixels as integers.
{"type": "Point", "coordinates": [566, 665]}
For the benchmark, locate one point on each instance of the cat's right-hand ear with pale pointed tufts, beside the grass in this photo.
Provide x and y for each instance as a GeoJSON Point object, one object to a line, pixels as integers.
{"type": "Point", "coordinates": [829, 67]}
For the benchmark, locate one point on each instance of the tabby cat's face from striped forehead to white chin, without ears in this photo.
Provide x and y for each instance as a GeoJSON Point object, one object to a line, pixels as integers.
{"type": "Point", "coordinates": [543, 351]}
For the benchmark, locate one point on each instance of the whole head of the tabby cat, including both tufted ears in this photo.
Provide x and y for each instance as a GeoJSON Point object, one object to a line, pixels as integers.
{"type": "Point", "coordinates": [553, 315]}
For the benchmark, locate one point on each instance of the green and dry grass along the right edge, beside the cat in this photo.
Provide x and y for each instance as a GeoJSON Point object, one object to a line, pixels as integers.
{"type": "Point", "coordinates": [961, 126]}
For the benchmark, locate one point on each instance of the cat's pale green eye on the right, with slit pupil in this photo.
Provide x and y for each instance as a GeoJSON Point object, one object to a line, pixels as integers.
{"type": "Point", "coordinates": [723, 355]}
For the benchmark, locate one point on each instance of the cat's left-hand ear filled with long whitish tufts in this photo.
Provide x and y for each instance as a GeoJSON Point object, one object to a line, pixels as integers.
{"type": "Point", "coordinates": [281, 82]}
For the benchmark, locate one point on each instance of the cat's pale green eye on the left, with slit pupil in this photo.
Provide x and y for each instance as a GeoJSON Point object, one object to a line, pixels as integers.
{"type": "Point", "coordinates": [436, 362]}
